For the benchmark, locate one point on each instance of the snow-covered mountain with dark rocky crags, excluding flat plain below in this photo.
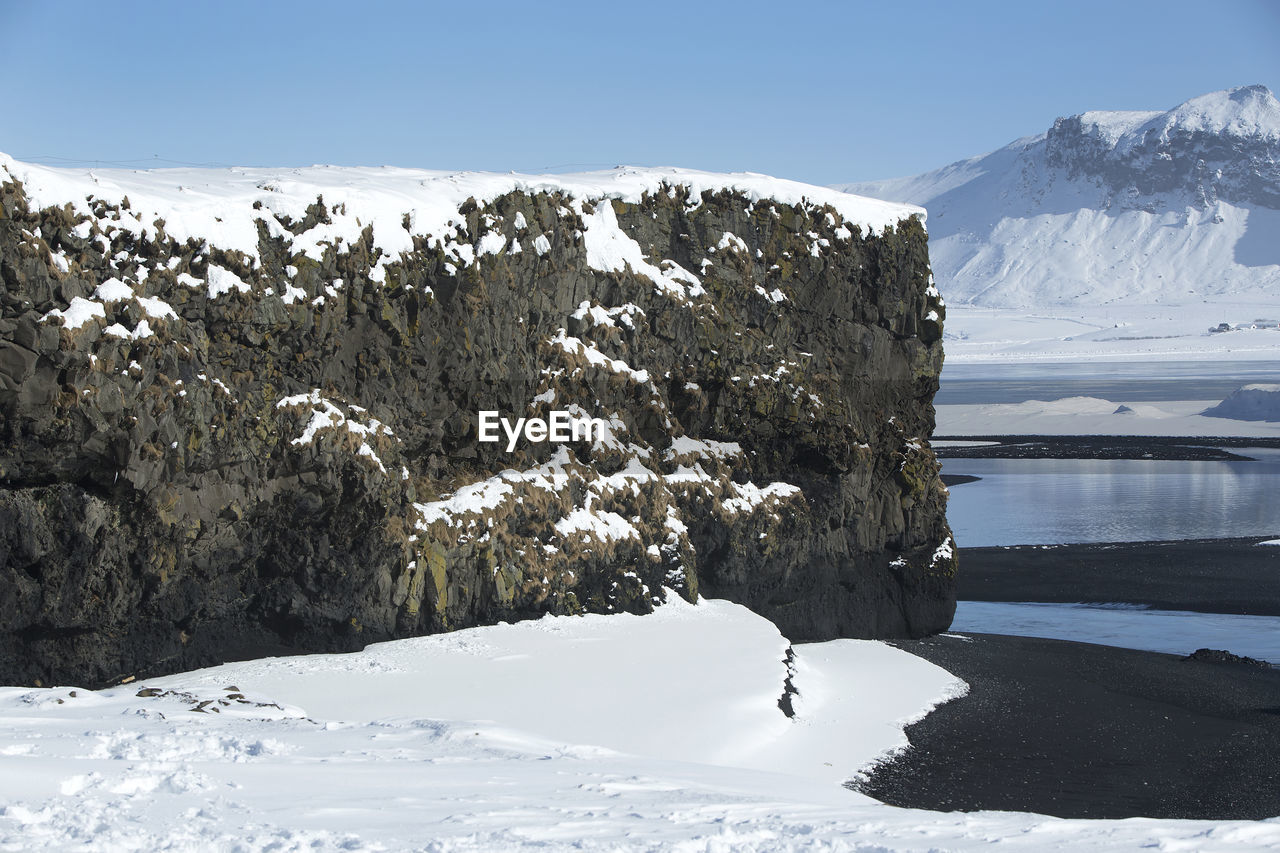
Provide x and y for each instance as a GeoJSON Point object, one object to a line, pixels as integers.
{"type": "Point", "coordinates": [1107, 207]}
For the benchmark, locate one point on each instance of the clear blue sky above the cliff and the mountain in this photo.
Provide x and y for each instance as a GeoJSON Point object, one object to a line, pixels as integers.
{"type": "Point", "coordinates": [815, 92]}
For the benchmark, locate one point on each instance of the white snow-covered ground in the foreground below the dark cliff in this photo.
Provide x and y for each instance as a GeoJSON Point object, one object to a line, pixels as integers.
{"type": "Point", "coordinates": [597, 733]}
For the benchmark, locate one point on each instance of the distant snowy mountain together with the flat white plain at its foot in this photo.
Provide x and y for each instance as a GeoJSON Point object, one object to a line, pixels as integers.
{"type": "Point", "coordinates": [1113, 236]}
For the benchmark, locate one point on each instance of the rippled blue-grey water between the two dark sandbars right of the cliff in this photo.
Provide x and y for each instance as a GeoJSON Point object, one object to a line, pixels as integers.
{"type": "Point", "coordinates": [1069, 501]}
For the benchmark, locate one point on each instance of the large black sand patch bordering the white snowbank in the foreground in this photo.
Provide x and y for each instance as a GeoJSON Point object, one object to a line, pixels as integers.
{"type": "Point", "coordinates": [1080, 731]}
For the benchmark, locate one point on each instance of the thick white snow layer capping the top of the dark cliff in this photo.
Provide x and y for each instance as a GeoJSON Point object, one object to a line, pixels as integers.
{"type": "Point", "coordinates": [220, 204]}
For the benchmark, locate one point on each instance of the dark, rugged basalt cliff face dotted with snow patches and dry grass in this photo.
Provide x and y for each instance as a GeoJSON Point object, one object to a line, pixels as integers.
{"type": "Point", "coordinates": [212, 451]}
